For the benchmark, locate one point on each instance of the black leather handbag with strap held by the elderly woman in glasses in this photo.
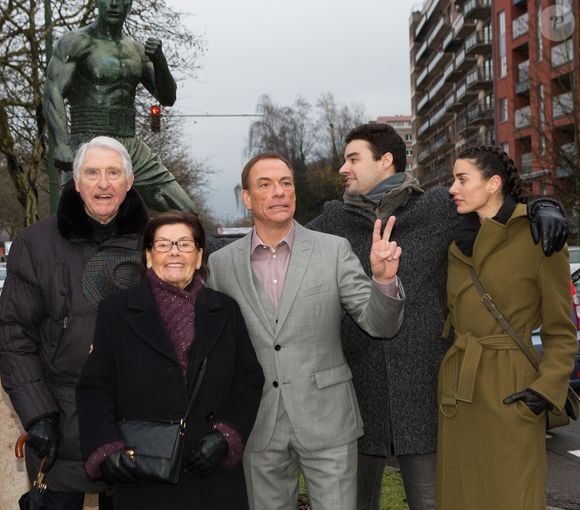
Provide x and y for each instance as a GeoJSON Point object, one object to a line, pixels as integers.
{"type": "Point", "coordinates": [155, 448]}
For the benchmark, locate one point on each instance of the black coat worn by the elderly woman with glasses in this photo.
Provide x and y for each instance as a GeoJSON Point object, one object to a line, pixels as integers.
{"type": "Point", "coordinates": [133, 373]}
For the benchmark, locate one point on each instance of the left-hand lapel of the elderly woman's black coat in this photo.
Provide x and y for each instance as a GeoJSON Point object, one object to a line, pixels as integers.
{"type": "Point", "coordinates": [146, 321]}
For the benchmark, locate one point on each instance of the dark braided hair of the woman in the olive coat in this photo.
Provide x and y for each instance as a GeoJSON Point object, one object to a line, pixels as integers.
{"type": "Point", "coordinates": [492, 161]}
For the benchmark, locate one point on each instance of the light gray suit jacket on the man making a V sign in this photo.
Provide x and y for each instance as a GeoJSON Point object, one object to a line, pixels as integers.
{"type": "Point", "coordinates": [301, 352]}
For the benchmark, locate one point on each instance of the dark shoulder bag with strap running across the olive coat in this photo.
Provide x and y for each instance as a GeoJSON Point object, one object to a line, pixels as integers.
{"type": "Point", "coordinates": [553, 419]}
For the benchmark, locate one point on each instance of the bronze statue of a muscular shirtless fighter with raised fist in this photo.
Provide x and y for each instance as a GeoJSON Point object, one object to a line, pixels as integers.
{"type": "Point", "coordinates": [97, 69]}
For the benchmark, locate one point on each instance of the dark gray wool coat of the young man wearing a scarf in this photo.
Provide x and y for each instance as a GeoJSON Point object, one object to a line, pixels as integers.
{"type": "Point", "coordinates": [396, 380]}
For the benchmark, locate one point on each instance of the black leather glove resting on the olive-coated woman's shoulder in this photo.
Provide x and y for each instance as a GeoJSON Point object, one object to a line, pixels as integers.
{"type": "Point", "coordinates": [548, 222]}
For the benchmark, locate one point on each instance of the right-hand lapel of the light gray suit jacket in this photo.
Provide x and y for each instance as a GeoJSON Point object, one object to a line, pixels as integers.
{"type": "Point", "coordinates": [302, 248]}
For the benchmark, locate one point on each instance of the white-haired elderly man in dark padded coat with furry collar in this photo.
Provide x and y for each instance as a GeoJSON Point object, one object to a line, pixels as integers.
{"type": "Point", "coordinates": [58, 271]}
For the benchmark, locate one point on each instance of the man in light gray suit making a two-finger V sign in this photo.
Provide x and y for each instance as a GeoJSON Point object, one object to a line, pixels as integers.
{"type": "Point", "coordinates": [294, 286]}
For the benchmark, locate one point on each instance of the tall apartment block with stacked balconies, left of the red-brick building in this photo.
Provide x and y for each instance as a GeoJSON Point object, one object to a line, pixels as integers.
{"type": "Point", "coordinates": [452, 87]}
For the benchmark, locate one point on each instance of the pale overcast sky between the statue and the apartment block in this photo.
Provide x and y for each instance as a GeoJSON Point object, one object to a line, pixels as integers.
{"type": "Point", "coordinates": [357, 50]}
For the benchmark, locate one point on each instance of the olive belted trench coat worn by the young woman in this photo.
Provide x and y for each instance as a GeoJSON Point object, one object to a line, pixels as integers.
{"type": "Point", "coordinates": [490, 454]}
